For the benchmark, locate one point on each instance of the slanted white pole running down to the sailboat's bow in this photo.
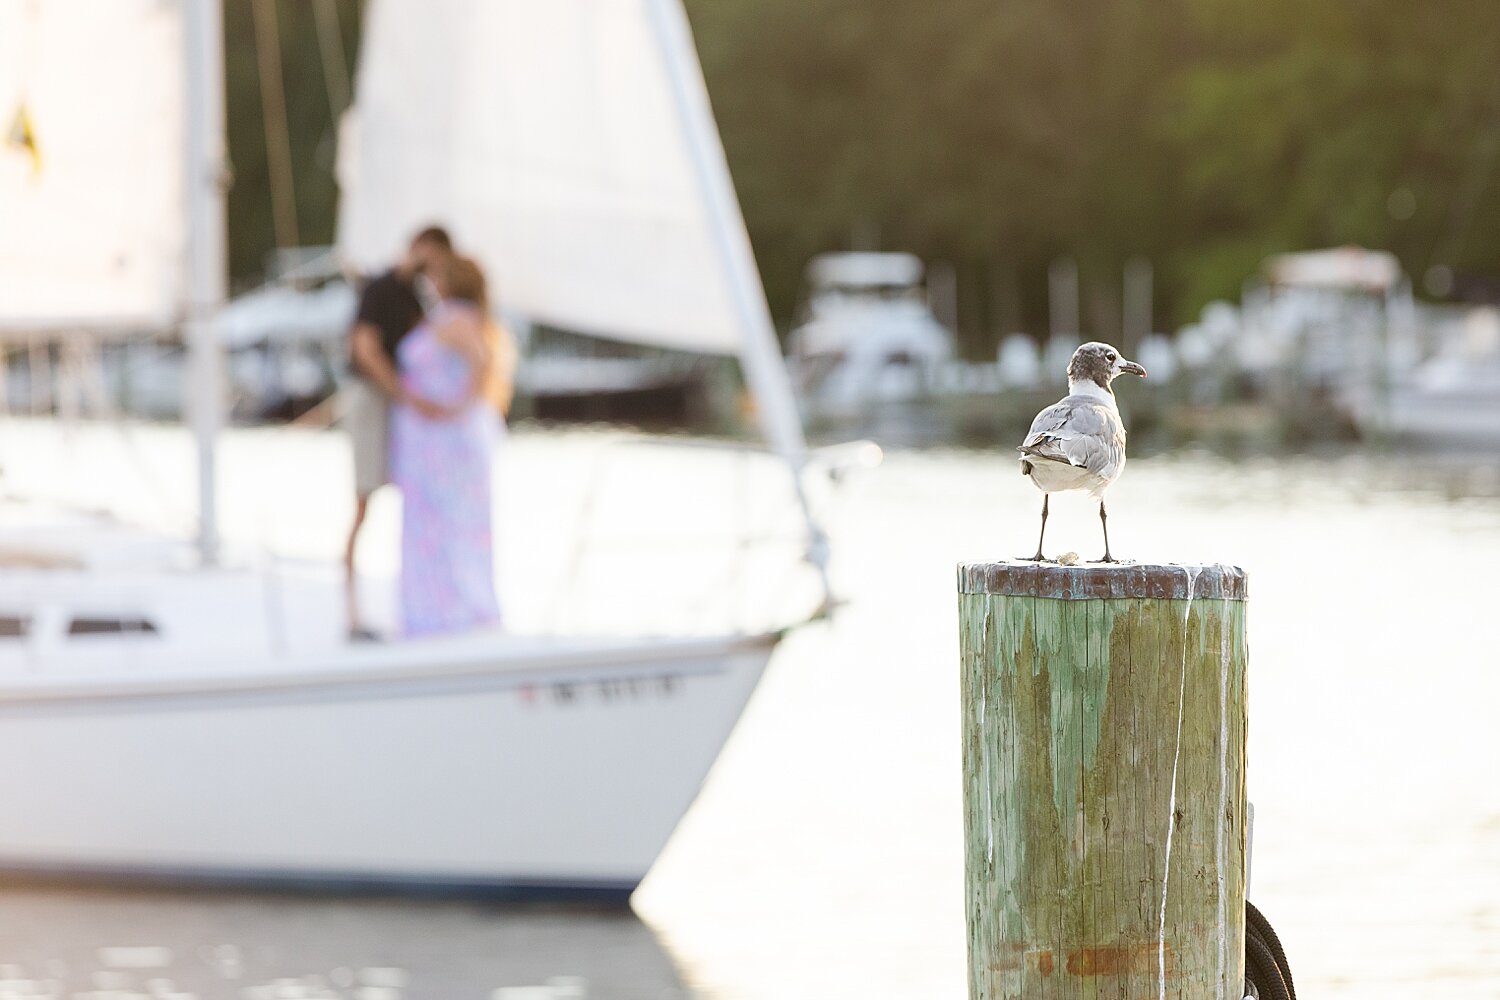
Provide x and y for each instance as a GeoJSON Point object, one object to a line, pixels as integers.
{"type": "Point", "coordinates": [760, 350]}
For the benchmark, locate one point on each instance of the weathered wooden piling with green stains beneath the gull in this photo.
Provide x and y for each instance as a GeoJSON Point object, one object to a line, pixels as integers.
{"type": "Point", "coordinates": [1105, 780]}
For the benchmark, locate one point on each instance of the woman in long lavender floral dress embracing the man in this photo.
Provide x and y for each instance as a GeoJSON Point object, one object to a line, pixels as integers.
{"type": "Point", "coordinates": [455, 371]}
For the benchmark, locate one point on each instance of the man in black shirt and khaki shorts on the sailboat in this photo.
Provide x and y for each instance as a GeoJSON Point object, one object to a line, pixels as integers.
{"type": "Point", "coordinates": [389, 310]}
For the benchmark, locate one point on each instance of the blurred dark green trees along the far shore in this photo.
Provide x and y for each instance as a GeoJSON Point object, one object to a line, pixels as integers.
{"type": "Point", "coordinates": [1199, 136]}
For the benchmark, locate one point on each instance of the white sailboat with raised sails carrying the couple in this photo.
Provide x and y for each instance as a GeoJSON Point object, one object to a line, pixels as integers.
{"type": "Point", "coordinates": [157, 729]}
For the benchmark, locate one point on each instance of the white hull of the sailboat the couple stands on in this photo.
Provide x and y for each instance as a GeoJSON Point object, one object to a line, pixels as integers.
{"type": "Point", "coordinates": [485, 764]}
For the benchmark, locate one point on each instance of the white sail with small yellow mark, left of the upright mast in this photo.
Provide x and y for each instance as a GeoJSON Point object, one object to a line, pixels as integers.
{"type": "Point", "coordinates": [92, 202]}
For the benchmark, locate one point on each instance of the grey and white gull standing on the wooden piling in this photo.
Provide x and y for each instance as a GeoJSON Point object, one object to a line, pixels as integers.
{"type": "Point", "coordinates": [1079, 442]}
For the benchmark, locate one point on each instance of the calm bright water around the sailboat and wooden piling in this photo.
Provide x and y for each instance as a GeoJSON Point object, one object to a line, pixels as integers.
{"type": "Point", "coordinates": [824, 858]}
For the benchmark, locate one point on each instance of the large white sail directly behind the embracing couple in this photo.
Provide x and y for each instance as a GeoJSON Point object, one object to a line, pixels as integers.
{"type": "Point", "coordinates": [548, 139]}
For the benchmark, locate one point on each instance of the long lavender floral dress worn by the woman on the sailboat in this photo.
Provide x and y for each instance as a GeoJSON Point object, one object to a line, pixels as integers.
{"type": "Point", "coordinates": [443, 470]}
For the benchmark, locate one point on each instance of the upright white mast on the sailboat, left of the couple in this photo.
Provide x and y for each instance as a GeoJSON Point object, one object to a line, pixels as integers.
{"type": "Point", "coordinates": [206, 251]}
